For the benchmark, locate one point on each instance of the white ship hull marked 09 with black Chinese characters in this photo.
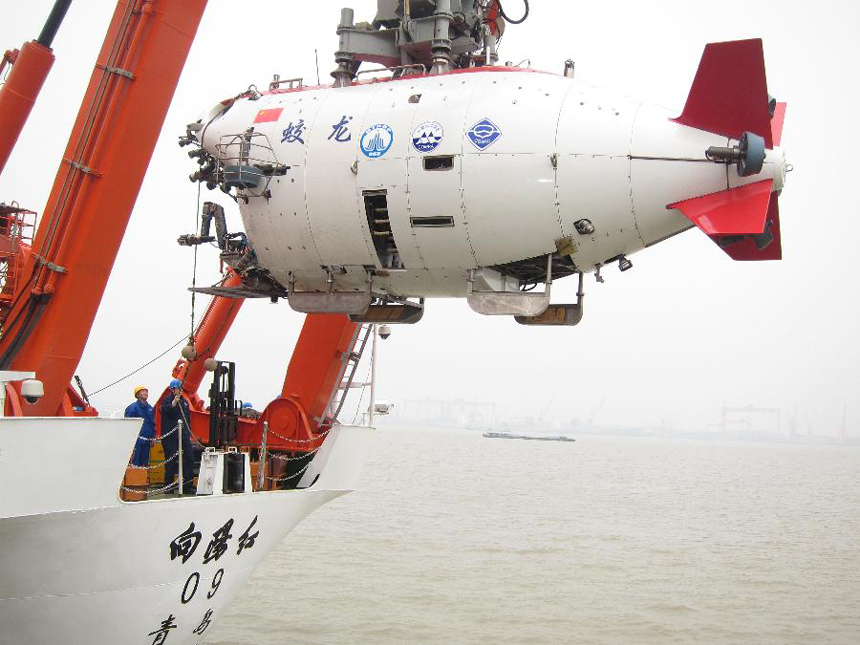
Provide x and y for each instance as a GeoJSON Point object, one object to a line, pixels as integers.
{"type": "Point", "coordinates": [100, 570]}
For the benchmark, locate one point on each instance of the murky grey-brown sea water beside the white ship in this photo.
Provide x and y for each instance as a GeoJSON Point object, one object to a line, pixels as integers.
{"type": "Point", "coordinates": [457, 538]}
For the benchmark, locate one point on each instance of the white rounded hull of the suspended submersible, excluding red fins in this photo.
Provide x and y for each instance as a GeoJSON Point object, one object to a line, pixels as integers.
{"type": "Point", "coordinates": [532, 154]}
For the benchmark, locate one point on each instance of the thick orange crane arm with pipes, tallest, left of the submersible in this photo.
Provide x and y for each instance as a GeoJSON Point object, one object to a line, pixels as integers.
{"type": "Point", "coordinates": [95, 190]}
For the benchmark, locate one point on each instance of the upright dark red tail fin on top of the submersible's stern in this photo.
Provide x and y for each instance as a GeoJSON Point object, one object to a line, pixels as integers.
{"type": "Point", "coordinates": [729, 94]}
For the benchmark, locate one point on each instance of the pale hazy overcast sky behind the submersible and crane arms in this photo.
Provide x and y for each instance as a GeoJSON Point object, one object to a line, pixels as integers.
{"type": "Point", "coordinates": [673, 339]}
